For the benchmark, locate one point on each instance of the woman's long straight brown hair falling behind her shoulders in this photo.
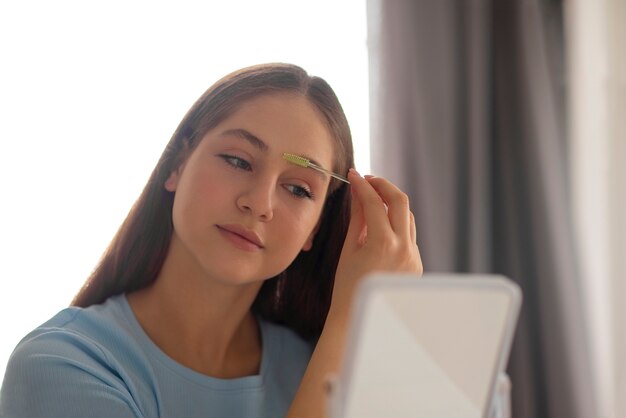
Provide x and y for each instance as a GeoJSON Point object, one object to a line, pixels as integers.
{"type": "Point", "coordinates": [300, 296]}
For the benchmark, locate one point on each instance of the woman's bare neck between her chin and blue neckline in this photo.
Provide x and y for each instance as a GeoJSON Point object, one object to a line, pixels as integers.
{"type": "Point", "coordinates": [203, 325]}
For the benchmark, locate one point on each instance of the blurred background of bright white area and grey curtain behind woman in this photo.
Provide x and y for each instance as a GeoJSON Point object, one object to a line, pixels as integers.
{"type": "Point", "coordinates": [504, 120]}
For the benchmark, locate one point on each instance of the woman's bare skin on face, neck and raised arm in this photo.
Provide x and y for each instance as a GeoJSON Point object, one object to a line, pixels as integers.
{"type": "Point", "coordinates": [198, 309]}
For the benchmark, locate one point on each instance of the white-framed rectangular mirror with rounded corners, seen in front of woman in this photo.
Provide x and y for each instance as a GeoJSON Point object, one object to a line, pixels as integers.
{"type": "Point", "coordinates": [428, 347]}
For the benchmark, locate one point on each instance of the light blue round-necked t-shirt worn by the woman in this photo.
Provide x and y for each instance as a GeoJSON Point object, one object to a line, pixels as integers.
{"type": "Point", "coordinates": [98, 362]}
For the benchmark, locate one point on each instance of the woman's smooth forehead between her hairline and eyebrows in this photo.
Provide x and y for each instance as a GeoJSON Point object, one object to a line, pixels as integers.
{"type": "Point", "coordinates": [285, 122]}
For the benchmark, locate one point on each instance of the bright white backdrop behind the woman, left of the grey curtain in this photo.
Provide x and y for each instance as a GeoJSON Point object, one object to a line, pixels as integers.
{"type": "Point", "coordinates": [90, 92]}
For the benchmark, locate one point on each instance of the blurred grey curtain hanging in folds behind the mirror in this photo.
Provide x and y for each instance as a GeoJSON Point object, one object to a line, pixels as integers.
{"type": "Point", "coordinates": [468, 116]}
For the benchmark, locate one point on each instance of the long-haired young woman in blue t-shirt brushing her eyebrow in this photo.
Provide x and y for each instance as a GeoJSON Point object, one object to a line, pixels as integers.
{"type": "Point", "coordinates": [227, 290]}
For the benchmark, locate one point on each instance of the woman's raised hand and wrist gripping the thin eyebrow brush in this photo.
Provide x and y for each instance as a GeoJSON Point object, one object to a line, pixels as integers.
{"type": "Point", "coordinates": [381, 237]}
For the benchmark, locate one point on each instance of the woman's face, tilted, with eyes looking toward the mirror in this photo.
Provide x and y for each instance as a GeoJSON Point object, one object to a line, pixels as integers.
{"type": "Point", "coordinates": [241, 212]}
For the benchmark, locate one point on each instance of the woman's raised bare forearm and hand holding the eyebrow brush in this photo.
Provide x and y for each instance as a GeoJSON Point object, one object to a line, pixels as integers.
{"type": "Point", "coordinates": [381, 237]}
